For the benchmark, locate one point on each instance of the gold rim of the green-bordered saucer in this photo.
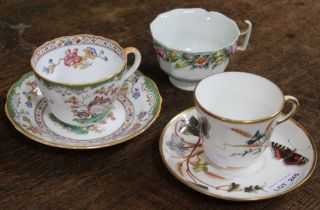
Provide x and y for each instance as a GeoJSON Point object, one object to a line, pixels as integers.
{"type": "Point", "coordinates": [30, 136]}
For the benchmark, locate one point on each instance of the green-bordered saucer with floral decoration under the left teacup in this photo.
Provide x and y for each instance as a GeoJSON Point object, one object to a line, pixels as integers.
{"type": "Point", "coordinates": [136, 108]}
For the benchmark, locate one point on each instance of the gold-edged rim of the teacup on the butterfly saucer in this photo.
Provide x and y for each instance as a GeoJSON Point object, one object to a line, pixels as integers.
{"type": "Point", "coordinates": [211, 114]}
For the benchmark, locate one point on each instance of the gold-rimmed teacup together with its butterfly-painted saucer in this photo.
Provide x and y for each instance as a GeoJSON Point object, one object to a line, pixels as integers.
{"type": "Point", "coordinates": [252, 154]}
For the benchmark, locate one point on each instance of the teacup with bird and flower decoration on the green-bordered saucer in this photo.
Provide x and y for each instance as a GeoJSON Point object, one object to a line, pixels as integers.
{"type": "Point", "coordinates": [81, 76]}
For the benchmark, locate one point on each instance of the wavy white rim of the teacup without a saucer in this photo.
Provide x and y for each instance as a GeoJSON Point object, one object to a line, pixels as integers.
{"type": "Point", "coordinates": [153, 23]}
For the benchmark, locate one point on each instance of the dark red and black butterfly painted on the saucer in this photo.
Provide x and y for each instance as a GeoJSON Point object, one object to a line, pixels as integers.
{"type": "Point", "coordinates": [290, 157]}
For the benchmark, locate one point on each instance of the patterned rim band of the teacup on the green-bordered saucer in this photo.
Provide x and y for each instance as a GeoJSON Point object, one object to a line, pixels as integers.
{"type": "Point", "coordinates": [121, 69]}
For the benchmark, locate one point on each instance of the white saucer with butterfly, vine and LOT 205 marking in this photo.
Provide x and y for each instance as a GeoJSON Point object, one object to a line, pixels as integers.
{"type": "Point", "coordinates": [286, 164]}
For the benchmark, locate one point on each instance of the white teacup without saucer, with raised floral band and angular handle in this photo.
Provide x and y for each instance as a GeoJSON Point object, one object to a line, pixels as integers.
{"type": "Point", "coordinates": [192, 44]}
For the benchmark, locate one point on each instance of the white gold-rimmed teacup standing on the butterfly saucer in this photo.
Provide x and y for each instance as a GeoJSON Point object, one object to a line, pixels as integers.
{"type": "Point", "coordinates": [238, 112]}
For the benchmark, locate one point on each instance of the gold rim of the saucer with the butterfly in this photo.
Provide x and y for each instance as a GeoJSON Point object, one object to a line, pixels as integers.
{"type": "Point", "coordinates": [315, 159]}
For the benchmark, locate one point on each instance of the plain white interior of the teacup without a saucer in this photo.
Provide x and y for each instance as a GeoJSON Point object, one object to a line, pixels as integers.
{"type": "Point", "coordinates": [194, 30]}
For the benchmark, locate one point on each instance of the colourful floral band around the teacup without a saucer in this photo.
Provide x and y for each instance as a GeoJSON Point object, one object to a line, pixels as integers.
{"type": "Point", "coordinates": [193, 60]}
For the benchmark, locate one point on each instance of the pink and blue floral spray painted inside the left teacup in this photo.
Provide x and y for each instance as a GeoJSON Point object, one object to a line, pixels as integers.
{"type": "Point", "coordinates": [72, 59]}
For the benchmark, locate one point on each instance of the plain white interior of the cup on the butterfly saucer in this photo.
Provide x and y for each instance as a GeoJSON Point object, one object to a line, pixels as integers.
{"type": "Point", "coordinates": [239, 96]}
